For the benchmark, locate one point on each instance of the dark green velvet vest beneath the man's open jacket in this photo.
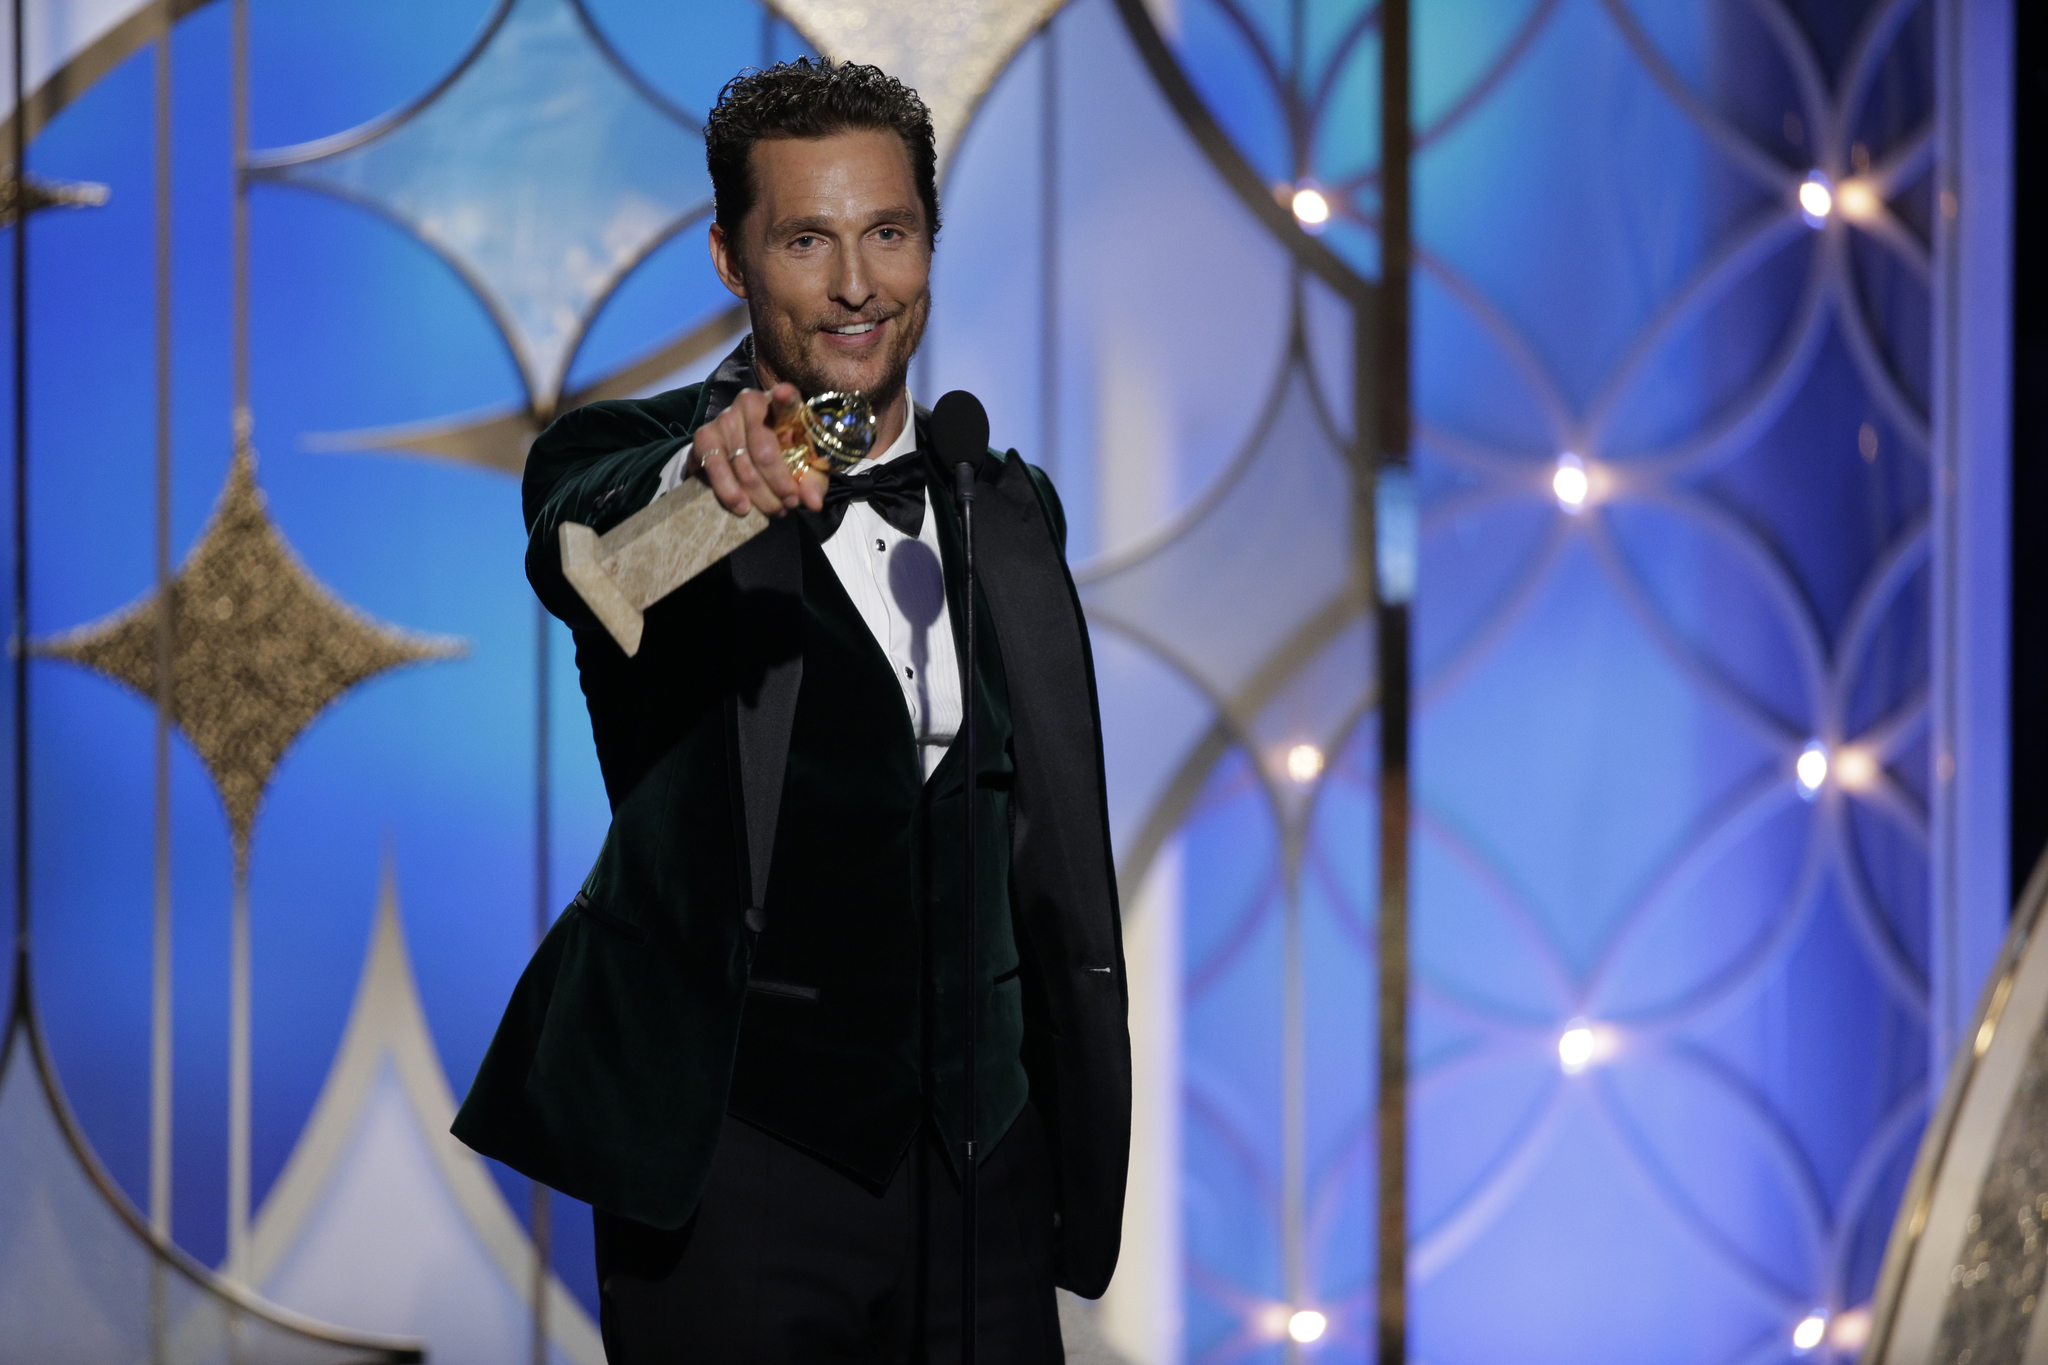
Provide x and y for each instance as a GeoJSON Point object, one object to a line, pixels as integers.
{"type": "Point", "coordinates": [853, 1020]}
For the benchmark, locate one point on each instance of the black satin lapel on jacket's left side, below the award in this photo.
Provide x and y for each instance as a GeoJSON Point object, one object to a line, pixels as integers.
{"type": "Point", "coordinates": [769, 592]}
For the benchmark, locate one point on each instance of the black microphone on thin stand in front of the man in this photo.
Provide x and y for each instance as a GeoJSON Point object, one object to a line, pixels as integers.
{"type": "Point", "coordinates": [962, 439]}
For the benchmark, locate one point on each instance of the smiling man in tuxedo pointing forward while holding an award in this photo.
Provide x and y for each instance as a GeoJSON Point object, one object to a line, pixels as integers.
{"type": "Point", "coordinates": [742, 1041]}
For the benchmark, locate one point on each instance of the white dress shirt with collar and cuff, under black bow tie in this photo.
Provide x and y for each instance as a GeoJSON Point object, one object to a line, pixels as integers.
{"type": "Point", "coordinates": [900, 592]}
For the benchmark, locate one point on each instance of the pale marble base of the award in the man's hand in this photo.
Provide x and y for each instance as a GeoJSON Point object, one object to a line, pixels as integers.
{"type": "Point", "coordinates": [650, 556]}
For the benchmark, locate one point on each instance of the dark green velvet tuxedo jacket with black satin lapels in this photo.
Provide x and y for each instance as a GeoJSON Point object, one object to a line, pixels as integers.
{"type": "Point", "coordinates": [611, 1071]}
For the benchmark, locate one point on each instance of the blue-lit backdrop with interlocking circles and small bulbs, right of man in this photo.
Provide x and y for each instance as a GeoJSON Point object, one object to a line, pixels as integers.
{"type": "Point", "coordinates": [1613, 836]}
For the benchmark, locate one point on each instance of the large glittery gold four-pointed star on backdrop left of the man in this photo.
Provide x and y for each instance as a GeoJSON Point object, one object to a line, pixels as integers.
{"type": "Point", "coordinates": [257, 648]}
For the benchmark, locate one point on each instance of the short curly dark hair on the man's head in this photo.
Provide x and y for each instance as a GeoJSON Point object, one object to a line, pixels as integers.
{"type": "Point", "coordinates": [812, 99]}
